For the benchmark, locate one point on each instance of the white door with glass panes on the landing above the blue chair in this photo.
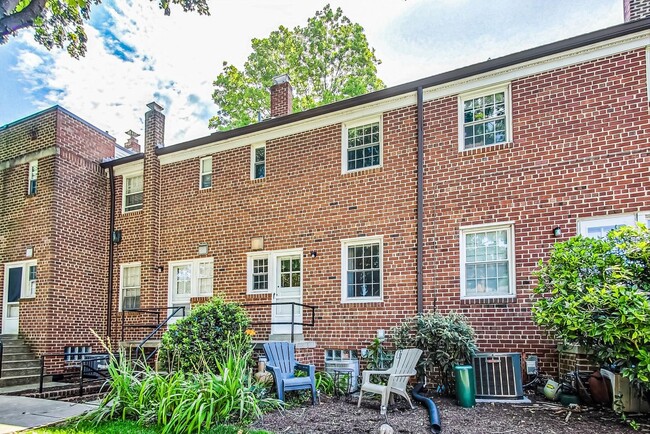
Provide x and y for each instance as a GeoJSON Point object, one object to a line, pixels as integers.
{"type": "Point", "coordinates": [288, 289]}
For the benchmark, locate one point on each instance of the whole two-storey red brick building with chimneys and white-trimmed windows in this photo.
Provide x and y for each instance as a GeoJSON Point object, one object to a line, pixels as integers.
{"type": "Point", "coordinates": [441, 194]}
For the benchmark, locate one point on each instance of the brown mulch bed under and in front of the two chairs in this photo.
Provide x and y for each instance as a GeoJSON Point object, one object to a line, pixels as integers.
{"type": "Point", "coordinates": [334, 415]}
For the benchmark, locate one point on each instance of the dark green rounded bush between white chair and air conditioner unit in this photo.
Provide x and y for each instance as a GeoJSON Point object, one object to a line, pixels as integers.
{"type": "Point", "coordinates": [445, 341]}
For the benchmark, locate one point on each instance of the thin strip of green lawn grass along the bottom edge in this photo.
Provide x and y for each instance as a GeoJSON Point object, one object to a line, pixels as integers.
{"type": "Point", "coordinates": [129, 427]}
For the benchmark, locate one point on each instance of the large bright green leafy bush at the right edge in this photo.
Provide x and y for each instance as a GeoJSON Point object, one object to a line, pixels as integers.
{"type": "Point", "coordinates": [595, 294]}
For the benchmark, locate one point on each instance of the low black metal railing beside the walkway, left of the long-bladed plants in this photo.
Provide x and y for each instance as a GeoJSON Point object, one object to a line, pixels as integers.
{"type": "Point", "coordinates": [90, 366]}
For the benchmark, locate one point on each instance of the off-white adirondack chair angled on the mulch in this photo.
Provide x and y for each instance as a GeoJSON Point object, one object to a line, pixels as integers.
{"type": "Point", "coordinates": [398, 375]}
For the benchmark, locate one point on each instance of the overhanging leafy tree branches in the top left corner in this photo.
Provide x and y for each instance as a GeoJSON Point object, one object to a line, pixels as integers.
{"type": "Point", "coordinates": [60, 23]}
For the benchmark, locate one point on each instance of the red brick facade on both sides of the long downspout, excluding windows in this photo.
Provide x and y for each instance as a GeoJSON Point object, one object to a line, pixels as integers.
{"type": "Point", "coordinates": [579, 149]}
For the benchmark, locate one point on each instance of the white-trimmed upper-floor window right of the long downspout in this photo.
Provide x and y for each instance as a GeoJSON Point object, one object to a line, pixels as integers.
{"type": "Point", "coordinates": [484, 118]}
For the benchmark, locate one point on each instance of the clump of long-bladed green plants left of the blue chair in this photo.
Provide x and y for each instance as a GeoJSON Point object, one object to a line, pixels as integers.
{"type": "Point", "coordinates": [181, 401]}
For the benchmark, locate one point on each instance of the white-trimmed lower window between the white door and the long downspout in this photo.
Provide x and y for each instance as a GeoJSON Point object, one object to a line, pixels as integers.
{"type": "Point", "coordinates": [362, 269]}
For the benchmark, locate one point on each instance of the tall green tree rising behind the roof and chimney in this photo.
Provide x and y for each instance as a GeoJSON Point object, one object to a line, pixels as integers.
{"type": "Point", "coordinates": [327, 60]}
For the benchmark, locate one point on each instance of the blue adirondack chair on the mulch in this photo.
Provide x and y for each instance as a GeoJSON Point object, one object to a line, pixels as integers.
{"type": "Point", "coordinates": [282, 364]}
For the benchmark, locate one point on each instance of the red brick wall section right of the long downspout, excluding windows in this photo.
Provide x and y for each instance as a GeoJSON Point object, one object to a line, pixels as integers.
{"type": "Point", "coordinates": [580, 138]}
